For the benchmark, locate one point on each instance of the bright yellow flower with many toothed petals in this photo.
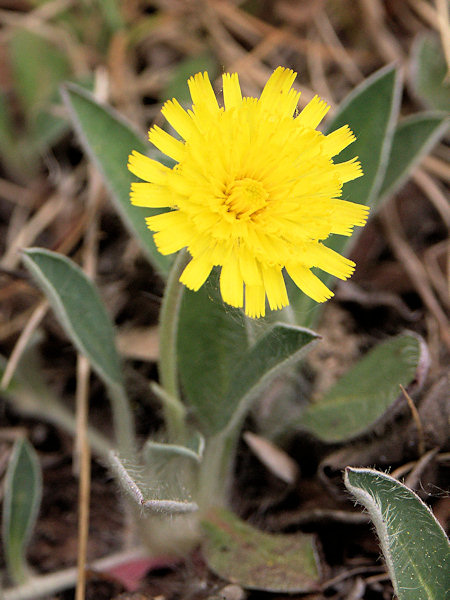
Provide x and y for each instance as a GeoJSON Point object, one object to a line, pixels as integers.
{"type": "Point", "coordinates": [254, 191]}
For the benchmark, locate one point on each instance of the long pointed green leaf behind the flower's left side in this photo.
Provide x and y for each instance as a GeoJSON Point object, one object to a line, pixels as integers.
{"type": "Point", "coordinates": [108, 140]}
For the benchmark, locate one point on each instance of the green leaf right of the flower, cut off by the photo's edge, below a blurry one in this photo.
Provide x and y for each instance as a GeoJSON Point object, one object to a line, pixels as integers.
{"type": "Point", "coordinates": [413, 139]}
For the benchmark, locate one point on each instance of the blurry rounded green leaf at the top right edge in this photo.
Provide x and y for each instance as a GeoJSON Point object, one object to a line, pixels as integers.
{"type": "Point", "coordinates": [429, 72]}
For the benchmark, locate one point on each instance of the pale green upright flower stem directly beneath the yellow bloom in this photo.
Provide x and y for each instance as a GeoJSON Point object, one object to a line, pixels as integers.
{"type": "Point", "coordinates": [168, 328]}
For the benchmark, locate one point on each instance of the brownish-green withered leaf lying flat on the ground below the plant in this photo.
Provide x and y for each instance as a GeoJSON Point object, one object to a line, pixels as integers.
{"type": "Point", "coordinates": [257, 560]}
